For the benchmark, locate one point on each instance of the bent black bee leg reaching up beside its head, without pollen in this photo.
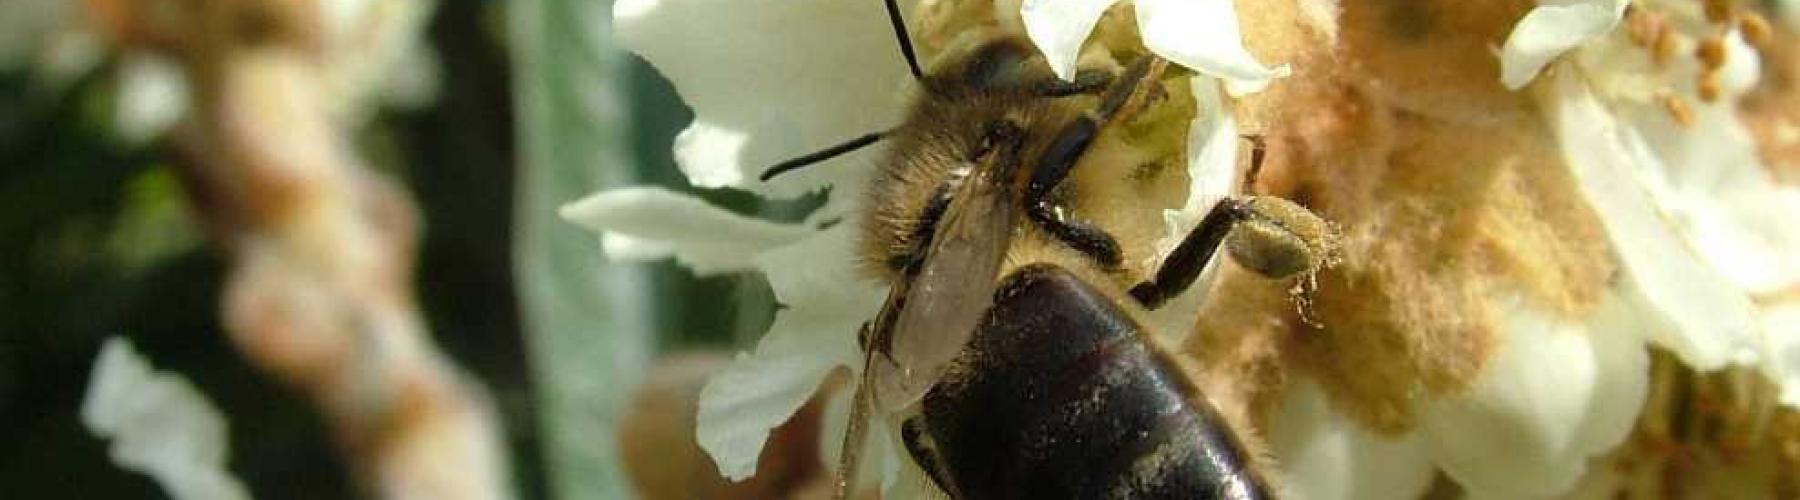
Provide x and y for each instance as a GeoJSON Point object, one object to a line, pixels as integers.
{"type": "Point", "coordinates": [1066, 152]}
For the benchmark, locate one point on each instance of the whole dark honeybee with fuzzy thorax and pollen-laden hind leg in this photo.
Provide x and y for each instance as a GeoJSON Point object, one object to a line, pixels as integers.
{"type": "Point", "coordinates": [1009, 350]}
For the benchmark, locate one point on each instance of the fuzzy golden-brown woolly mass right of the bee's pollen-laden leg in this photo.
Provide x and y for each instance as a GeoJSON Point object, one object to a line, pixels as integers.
{"type": "Point", "coordinates": [1446, 186]}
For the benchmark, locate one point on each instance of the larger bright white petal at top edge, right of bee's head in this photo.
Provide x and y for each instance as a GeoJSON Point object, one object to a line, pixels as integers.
{"type": "Point", "coordinates": [1203, 35]}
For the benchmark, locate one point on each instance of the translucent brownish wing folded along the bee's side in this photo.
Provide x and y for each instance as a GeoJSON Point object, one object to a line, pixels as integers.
{"type": "Point", "coordinates": [946, 301]}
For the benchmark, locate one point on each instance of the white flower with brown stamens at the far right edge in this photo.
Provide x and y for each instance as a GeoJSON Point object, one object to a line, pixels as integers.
{"type": "Point", "coordinates": [1655, 143]}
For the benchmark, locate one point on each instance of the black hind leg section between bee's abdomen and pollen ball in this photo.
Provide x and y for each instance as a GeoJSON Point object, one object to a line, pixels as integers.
{"type": "Point", "coordinates": [1189, 260]}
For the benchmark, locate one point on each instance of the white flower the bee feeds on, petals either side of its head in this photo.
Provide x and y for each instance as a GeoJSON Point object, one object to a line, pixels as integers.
{"type": "Point", "coordinates": [775, 80]}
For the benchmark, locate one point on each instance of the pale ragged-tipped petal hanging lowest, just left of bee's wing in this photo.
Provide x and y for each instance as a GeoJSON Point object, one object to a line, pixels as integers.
{"type": "Point", "coordinates": [813, 335]}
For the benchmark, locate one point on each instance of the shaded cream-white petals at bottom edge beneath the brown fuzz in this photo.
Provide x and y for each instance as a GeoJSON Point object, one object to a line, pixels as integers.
{"type": "Point", "coordinates": [1556, 395]}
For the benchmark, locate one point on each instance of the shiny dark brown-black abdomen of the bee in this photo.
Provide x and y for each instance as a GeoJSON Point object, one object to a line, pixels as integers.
{"type": "Point", "coordinates": [1061, 397]}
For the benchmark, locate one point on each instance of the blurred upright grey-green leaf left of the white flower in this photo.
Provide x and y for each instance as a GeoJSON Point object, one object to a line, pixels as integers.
{"type": "Point", "coordinates": [589, 325]}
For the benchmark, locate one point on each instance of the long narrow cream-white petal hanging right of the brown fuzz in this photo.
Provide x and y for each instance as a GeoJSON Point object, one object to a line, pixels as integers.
{"type": "Point", "coordinates": [1689, 308]}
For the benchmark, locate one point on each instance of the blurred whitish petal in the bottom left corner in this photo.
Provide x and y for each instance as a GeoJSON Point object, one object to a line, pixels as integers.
{"type": "Point", "coordinates": [159, 425]}
